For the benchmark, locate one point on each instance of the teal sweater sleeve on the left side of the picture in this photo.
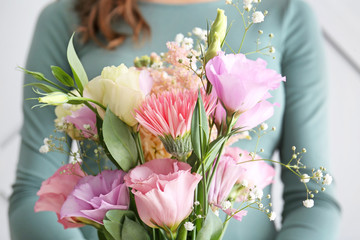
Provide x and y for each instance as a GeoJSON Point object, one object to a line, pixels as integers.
{"type": "Point", "coordinates": [48, 47]}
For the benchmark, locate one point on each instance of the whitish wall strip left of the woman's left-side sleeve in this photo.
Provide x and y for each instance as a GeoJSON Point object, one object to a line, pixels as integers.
{"type": "Point", "coordinates": [17, 21]}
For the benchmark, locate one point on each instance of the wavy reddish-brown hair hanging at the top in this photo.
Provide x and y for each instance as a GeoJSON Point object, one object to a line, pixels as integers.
{"type": "Point", "coordinates": [96, 16]}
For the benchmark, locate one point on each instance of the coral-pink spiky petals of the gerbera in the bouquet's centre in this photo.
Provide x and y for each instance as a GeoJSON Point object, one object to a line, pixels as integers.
{"type": "Point", "coordinates": [170, 113]}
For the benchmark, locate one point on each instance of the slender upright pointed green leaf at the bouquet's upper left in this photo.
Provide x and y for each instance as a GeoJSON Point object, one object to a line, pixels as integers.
{"type": "Point", "coordinates": [77, 68]}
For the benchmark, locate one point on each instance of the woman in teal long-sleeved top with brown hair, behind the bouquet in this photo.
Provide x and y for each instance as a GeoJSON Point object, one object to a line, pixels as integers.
{"type": "Point", "coordinates": [300, 120]}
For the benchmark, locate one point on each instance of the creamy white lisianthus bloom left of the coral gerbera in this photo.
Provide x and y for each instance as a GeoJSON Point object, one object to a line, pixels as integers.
{"type": "Point", "coordinates": [120, 88]}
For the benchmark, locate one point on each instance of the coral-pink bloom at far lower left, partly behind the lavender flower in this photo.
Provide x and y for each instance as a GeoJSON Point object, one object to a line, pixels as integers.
{"type": "Point", "coordinates": [55, 190]}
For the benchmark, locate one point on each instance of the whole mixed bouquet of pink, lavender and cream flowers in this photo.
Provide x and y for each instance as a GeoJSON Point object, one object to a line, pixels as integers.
{"type": "Point", "coordinates": [165, 126]}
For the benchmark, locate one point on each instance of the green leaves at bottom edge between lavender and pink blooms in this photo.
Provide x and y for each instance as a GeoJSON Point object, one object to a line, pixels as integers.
{"type": "Point", "coordinates": [122, 225]}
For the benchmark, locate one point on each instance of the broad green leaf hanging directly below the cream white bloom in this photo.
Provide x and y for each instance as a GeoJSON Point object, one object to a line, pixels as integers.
{"type": "Point", "coordinates": [119, 141]}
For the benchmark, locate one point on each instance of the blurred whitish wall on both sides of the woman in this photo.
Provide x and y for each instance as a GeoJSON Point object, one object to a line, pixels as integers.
{"type": "Point", "coordinates": [339, 21]}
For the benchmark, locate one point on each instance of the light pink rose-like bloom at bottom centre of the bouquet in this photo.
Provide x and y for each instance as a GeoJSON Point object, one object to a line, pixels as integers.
{"type": "Point", "coordinates": [164, 192]}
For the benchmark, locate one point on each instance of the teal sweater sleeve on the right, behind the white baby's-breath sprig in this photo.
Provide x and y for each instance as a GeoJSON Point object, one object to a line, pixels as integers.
{"type": "Point", "coordinates": [305, 126]}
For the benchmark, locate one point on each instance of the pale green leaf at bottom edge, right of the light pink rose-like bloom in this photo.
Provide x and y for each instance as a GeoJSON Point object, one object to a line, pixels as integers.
{"type": "Point", "coordinates": [211, 229]}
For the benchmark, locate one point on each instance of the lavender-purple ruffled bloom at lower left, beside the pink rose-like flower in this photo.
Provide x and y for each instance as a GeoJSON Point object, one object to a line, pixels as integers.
{"type": "Point", "coordinates": [93, 196]}
